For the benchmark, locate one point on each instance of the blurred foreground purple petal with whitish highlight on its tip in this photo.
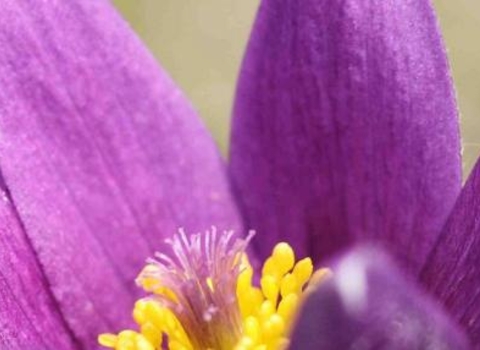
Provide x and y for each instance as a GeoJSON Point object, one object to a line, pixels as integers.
{"type": "Point", "coordinates": [368, 305]}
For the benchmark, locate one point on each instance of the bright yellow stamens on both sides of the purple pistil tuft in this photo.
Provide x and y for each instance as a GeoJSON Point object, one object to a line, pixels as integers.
{"type": "Point", "coordinates": [265, 313]}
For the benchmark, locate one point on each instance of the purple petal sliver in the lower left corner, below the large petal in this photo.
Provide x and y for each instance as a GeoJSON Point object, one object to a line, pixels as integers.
{"type": "Point", "coordinates": [29, 317]}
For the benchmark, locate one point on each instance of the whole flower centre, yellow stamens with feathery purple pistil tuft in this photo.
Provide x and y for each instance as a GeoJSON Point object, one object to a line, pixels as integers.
{"type": "Point", "coordinates": [201, 296]}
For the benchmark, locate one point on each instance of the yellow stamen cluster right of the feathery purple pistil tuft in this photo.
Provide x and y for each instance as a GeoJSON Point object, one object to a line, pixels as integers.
{"type": "Point", "coordinates": [268, 312]}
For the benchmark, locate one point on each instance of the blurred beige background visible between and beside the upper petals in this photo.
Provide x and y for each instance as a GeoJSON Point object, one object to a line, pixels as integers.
{"type": "Point", "coordinates": [201, 43]}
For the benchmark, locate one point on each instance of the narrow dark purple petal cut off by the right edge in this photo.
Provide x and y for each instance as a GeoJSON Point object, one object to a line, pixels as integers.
{"type": "Point", "coordinates": [452, 271]}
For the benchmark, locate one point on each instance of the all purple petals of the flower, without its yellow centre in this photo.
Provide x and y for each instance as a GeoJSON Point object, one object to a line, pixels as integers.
{"type": "Point", "coordinates": [345, 131]}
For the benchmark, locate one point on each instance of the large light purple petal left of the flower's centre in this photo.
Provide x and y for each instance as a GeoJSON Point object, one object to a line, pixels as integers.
{"type": "Point", "coordinates": [102, 154]}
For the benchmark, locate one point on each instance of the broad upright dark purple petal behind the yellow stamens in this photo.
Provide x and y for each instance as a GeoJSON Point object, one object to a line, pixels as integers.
{"type": "Point", "coordinates": [345, 127]}
